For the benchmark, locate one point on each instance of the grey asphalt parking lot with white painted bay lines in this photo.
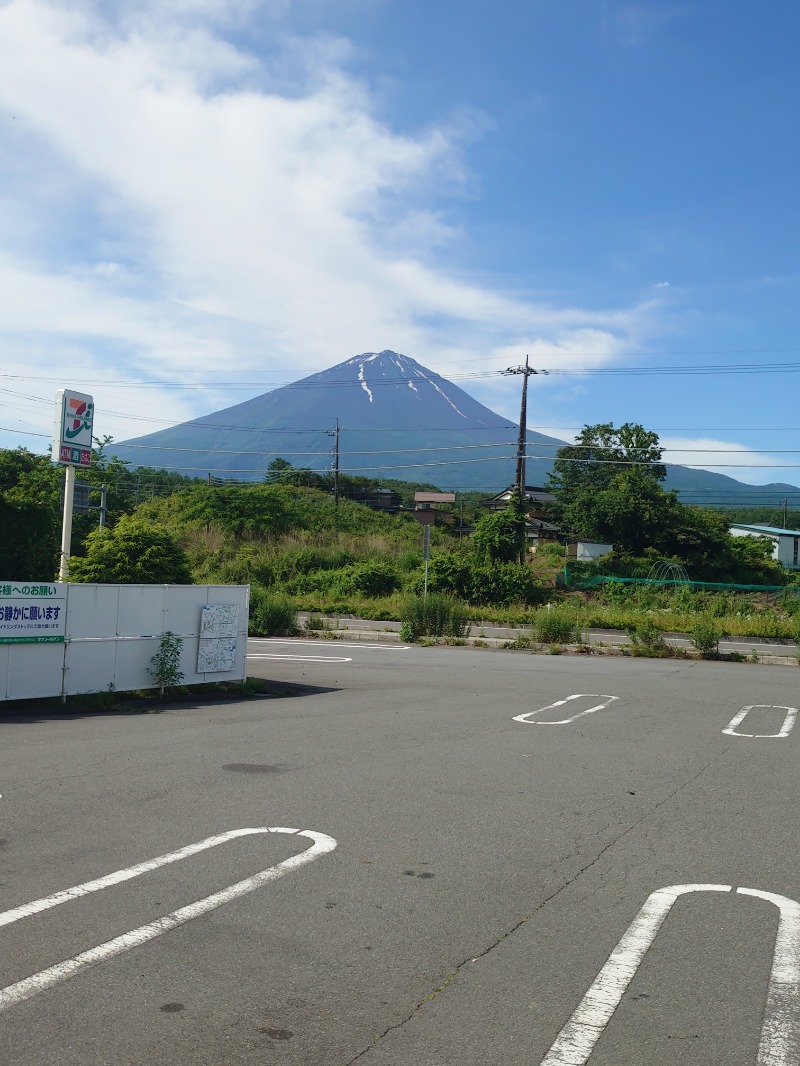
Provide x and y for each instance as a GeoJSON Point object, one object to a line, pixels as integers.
{"type": "Point", "coordinates": [507, 860]}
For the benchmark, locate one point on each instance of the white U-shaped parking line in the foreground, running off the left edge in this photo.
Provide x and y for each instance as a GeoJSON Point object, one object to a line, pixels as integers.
{"type": "Point", "coordinates": [39, 982]}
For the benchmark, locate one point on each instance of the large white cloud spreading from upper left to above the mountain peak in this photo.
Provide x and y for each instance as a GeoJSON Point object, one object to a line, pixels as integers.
{"type": "Point", "coordinates": [238, 212]}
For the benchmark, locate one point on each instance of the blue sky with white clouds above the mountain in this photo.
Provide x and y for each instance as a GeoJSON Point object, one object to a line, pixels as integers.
{"type": "Point", "coordinates": [203, 200]}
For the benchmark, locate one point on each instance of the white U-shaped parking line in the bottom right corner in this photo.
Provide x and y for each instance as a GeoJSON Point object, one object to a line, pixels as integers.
{"type": "Point", "coordinates": [781, 1026]}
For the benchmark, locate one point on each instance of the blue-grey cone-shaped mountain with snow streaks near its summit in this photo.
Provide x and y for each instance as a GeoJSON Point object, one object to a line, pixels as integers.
{"type": "Point", "coordinates": [398, 419]}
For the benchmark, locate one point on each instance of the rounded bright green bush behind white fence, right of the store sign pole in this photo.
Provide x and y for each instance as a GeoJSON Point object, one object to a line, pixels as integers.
{"type": "Point", "coordinates": [135, 552]}
